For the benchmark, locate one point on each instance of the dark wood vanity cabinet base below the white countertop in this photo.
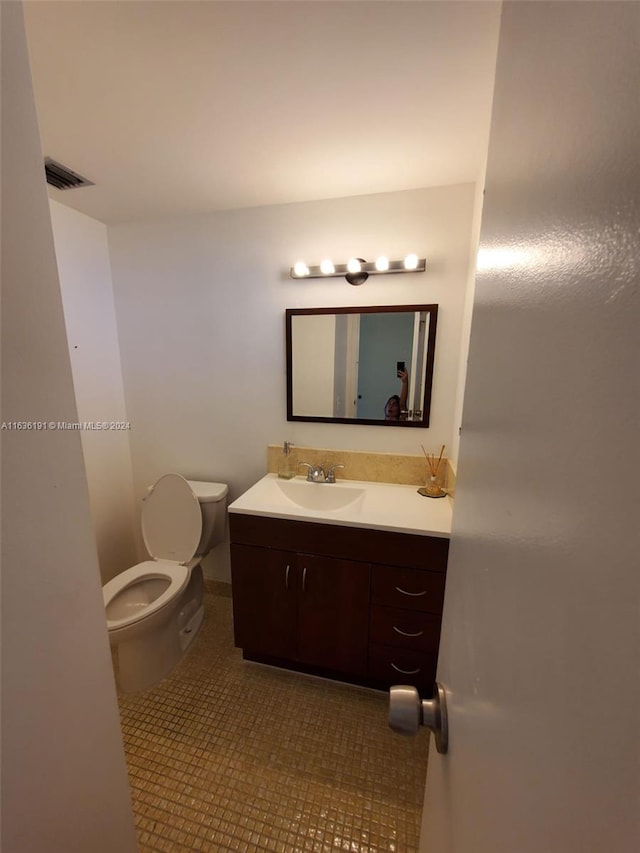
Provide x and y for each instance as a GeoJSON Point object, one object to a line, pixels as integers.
{"type": "Point", "coordinates": [350, 603]}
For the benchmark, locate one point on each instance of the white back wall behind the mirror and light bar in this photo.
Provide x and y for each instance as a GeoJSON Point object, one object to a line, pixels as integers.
{"type": "Point", "coordinates": [200, 307]}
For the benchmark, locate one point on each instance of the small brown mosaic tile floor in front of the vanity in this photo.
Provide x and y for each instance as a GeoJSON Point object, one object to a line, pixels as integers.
{"type": "Point", "coordinates": [229, 755]}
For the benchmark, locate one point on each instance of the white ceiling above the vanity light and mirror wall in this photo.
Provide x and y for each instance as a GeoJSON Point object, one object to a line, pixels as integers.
{"type": "Point", "coordinates": [175, 107]}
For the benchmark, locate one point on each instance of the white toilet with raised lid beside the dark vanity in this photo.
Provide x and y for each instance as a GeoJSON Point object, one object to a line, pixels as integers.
{"type": "Point", "coordinates": [154, 610]}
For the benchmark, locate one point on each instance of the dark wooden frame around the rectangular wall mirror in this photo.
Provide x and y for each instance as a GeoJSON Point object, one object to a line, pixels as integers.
{"type": "Point", "coordinates": [432, 310]}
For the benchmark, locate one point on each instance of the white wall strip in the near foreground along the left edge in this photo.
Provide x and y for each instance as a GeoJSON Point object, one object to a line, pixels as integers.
{"type": "Point", "coordinates": [64, 778]}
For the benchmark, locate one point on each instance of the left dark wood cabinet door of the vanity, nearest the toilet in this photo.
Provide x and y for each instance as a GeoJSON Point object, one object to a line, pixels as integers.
{"type": "Point", "coordinates": [265, 591]}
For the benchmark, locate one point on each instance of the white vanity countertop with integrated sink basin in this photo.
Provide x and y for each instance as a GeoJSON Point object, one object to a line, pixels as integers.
{"type": "Point", "coordinates": [381, 506]}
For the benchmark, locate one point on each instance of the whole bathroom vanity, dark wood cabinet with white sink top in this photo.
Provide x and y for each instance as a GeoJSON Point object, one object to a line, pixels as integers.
{"type": "Point", "coordinates": [353, 592]}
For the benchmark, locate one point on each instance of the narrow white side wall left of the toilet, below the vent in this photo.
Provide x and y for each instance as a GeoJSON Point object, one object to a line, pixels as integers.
{"type": "Point", "coordinates": [84, 269]}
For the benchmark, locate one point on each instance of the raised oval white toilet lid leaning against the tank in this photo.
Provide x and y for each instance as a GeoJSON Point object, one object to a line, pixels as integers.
{"type": "Point", "coordinates": [171, 520]}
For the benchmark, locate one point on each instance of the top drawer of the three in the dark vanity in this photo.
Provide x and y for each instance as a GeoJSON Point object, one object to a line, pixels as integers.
{"type": "Point", "coordinates": [410, 589]}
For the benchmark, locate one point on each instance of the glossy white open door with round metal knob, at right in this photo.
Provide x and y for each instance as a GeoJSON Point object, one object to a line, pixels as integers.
{"type": "Point", "coordinates": [540, 647]}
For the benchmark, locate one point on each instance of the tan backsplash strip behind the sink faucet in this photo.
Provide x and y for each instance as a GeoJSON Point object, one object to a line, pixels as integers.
{"type": "Point", "coordinates": [412, 470]}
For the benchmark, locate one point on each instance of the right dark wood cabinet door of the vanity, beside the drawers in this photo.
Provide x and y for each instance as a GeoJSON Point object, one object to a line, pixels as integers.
{"type": "Point", "coordinates": [333, 613]}
